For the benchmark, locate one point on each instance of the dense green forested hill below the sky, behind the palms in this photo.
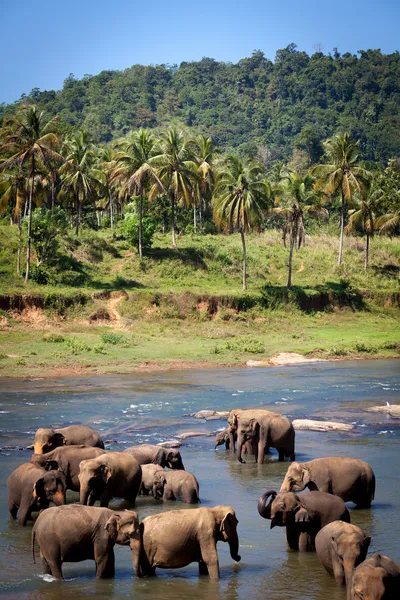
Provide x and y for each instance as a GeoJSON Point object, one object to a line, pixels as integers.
{"type": "Point", "coordinates": [294, 102]}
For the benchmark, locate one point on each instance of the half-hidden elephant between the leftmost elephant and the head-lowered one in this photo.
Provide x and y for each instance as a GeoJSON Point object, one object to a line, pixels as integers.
{"type": "Point", "coordinates": [67, 459]}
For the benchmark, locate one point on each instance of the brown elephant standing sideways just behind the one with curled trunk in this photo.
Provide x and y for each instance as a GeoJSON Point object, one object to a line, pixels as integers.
{"type": "Point", "coordinates": [351, 479]}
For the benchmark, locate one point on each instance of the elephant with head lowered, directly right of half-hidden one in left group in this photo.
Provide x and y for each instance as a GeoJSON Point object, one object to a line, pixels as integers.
{"type": "Point", "coordinates": [110, 475]}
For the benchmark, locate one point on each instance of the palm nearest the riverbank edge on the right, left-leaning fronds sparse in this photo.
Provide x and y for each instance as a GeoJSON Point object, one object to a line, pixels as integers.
{"type": "Point", "coordinates": [297, 199]}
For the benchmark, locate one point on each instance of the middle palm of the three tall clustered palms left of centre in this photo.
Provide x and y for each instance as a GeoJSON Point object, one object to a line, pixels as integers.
{"type": "Point", "coordinates": [176, 170]}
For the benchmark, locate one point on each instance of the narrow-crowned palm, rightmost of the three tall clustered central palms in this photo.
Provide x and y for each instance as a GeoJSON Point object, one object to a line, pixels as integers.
{"type": "Point", "coordinates": [203, 151]}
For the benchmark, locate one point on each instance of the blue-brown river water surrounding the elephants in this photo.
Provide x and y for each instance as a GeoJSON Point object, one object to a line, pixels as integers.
{"type": "Point", "coordinates": [148, 408]}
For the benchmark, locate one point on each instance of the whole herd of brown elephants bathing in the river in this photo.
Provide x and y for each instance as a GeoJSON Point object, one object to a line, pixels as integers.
{"type": "Point", "coordinates": [317, 520]}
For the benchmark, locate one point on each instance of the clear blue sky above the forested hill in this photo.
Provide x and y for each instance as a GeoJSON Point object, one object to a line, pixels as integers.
{"type": "Point", "coordinates": [43, 41]}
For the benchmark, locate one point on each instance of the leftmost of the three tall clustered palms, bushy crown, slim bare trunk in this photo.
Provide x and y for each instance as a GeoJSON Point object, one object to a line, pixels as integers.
{"type": "Point", "coordinates": [133, 170]}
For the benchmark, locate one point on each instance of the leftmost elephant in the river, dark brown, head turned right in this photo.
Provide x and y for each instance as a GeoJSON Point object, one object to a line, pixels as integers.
{"type": "Point", "coordinates": [31, 488]}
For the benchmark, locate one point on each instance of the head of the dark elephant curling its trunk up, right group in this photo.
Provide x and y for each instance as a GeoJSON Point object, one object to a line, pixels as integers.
{"type": "Point", "coordinates": [283, 508]}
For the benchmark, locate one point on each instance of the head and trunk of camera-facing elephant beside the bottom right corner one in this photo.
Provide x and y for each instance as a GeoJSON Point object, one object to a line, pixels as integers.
{"type": "Point", "coordinates": [348, 550]}
